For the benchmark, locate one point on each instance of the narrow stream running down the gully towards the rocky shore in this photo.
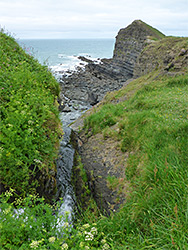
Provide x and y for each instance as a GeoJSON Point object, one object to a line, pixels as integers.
{"type": "Point", "coordinates": [64, 166]}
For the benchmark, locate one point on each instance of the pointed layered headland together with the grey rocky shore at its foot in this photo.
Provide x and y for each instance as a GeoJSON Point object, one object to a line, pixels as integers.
{"type": "Point", "coordinates": [91, 84]}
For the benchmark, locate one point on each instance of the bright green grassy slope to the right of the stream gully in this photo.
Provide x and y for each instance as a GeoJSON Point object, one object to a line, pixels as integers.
{"type": "Point", "coordinates": [153, 127]}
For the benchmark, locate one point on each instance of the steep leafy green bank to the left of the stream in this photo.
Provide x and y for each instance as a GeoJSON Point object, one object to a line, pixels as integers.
{"type": "Point", "coordinates": [29, 118]}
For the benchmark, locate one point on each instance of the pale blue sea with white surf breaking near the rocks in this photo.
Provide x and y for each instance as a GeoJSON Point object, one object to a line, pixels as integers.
{"type": "Point", "coordinates": [62, 54]}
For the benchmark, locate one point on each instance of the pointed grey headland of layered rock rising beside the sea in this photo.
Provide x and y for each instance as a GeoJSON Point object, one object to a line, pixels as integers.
{"type": "Point", "coordinates": [129, 44]}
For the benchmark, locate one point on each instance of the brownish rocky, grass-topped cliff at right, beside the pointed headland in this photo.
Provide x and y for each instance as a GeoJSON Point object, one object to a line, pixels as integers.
{"type": "Point", "coordinates": [167, 55]}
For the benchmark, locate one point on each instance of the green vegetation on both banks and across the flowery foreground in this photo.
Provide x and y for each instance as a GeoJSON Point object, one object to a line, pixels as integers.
{"type": "Point", "coordinates": [152, 126]}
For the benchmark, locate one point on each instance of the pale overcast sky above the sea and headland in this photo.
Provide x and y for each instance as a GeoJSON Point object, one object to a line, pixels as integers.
{"type": "Point", "coordinates": [90, 18]}
